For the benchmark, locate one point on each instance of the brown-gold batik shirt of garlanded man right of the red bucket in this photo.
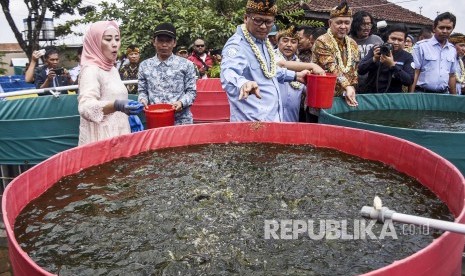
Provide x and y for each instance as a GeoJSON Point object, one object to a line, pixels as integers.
{"type": "Point", "coordinates": [324, 54]}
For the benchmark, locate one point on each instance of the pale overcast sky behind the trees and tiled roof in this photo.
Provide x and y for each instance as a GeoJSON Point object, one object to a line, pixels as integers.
{"type": "Point", "coordinates": [430, 8]}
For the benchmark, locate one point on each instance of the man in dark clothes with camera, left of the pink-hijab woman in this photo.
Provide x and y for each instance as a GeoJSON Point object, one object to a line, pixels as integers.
{"type": "Point", "coordinates": [49, 75]}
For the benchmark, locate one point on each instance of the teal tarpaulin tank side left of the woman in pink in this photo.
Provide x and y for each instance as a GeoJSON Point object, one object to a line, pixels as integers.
{"type": "Point", "coordinates": [34, 129]}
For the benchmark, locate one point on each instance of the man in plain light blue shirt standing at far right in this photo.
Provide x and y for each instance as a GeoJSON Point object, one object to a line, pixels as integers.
{"type": "Point", "coordinates": [435, 59]}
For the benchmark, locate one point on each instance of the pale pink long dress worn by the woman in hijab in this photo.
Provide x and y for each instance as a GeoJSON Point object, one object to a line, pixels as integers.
{"type": "Point", "coordinates": [98, 88]}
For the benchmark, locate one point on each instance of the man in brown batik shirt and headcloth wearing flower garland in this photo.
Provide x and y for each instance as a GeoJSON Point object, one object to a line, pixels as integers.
{"type": "Point", "coordinates": [337, 53]}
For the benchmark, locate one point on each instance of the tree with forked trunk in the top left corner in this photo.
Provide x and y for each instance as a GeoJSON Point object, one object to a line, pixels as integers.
{"type": "Point", "coordinates": [36, 10]}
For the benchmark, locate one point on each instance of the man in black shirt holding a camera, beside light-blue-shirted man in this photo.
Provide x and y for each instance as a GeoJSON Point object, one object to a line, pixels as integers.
{"type": "Point", "coordinates": [388, 66]}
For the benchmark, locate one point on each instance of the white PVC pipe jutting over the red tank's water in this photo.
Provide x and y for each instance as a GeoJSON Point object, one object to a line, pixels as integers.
{"type": "Point", "coordinates": [384, 213]}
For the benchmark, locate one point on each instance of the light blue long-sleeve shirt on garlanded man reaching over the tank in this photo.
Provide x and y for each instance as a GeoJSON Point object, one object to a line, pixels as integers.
{"type": "Point", "coordinates": [239, 65]}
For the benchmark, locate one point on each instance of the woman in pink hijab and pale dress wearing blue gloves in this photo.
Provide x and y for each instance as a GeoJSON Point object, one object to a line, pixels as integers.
{"type": "Point", "coordinates": [103, 98]}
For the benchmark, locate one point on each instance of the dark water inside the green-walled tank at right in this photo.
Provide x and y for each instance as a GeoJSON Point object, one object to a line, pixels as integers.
{"type": "Point", "coordinates": [415, 119]}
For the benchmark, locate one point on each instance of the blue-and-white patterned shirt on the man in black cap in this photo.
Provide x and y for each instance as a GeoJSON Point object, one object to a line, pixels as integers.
{"type": "Point", "coordinates": [169, 81]}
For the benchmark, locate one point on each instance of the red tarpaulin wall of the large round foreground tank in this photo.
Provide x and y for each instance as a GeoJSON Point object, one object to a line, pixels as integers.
{"type": "Point", "coordinates": [432, 171]}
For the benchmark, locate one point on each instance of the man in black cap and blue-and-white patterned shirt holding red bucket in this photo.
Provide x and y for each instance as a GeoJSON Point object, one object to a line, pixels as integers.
{"type": "Point", "coordinates": [168, 78]}
